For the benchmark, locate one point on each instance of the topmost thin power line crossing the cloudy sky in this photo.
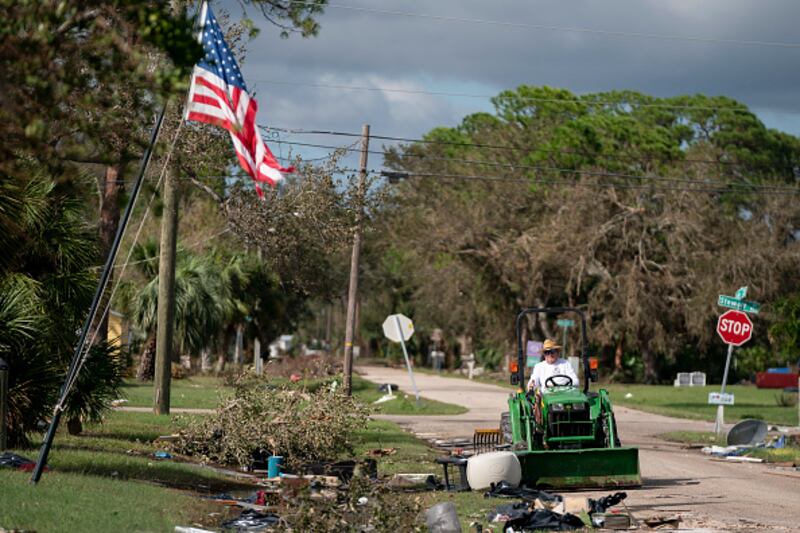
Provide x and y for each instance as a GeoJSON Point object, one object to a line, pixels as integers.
{"type": "Point", "coordinates": [571, 29]}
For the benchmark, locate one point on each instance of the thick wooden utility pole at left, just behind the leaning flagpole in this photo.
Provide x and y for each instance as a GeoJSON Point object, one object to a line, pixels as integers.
{"type": "Point", "coordinates": [166, 294]}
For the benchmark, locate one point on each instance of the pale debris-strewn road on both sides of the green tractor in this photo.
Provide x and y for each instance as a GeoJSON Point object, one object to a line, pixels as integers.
{"type": "Point", "coordinates": [709, 494]}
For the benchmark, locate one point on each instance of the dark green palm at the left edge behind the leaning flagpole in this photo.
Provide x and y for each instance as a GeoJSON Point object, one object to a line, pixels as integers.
{"type": "Point", "coordinates": [46, 285]}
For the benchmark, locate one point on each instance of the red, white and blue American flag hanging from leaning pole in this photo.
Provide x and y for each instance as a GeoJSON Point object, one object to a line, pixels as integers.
{"type": "Point", "coordinates": [218, 95]}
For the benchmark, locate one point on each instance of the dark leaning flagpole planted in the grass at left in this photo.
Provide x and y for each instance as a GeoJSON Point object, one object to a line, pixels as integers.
{"type": "Point", "coordinates": [112, 255]}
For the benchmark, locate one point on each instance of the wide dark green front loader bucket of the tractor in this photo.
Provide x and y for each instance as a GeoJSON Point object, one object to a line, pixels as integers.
{"type": "Point", "coordinates": [586, 468]}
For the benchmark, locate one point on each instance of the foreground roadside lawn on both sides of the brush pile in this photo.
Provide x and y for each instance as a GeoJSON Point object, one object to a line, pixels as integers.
{"type": "Point", "coordinates": [107, 479]}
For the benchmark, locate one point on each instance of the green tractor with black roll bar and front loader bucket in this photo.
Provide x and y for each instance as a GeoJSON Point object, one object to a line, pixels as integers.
{"type": "Point", "coordinates": [566, 437]}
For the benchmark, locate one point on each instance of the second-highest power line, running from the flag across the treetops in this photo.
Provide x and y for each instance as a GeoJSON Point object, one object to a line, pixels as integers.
{"type": "Point", "coordinates": [515, 97]}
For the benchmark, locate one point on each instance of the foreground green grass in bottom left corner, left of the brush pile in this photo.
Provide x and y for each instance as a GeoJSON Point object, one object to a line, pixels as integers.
{"type": "Point", "coordinates": [107, 480]}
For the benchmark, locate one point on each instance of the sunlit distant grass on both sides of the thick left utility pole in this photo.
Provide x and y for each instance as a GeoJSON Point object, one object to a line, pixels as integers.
{"type": "Point", "coordinates": [199, 392]}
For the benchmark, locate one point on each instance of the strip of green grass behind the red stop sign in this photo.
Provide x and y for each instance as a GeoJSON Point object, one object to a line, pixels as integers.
{"type": "Point", "coordinates": [692, 402]}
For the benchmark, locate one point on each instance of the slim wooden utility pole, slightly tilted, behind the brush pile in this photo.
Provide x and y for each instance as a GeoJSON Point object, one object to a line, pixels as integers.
{"type": "Point", "coordinates": [352, 293]}
